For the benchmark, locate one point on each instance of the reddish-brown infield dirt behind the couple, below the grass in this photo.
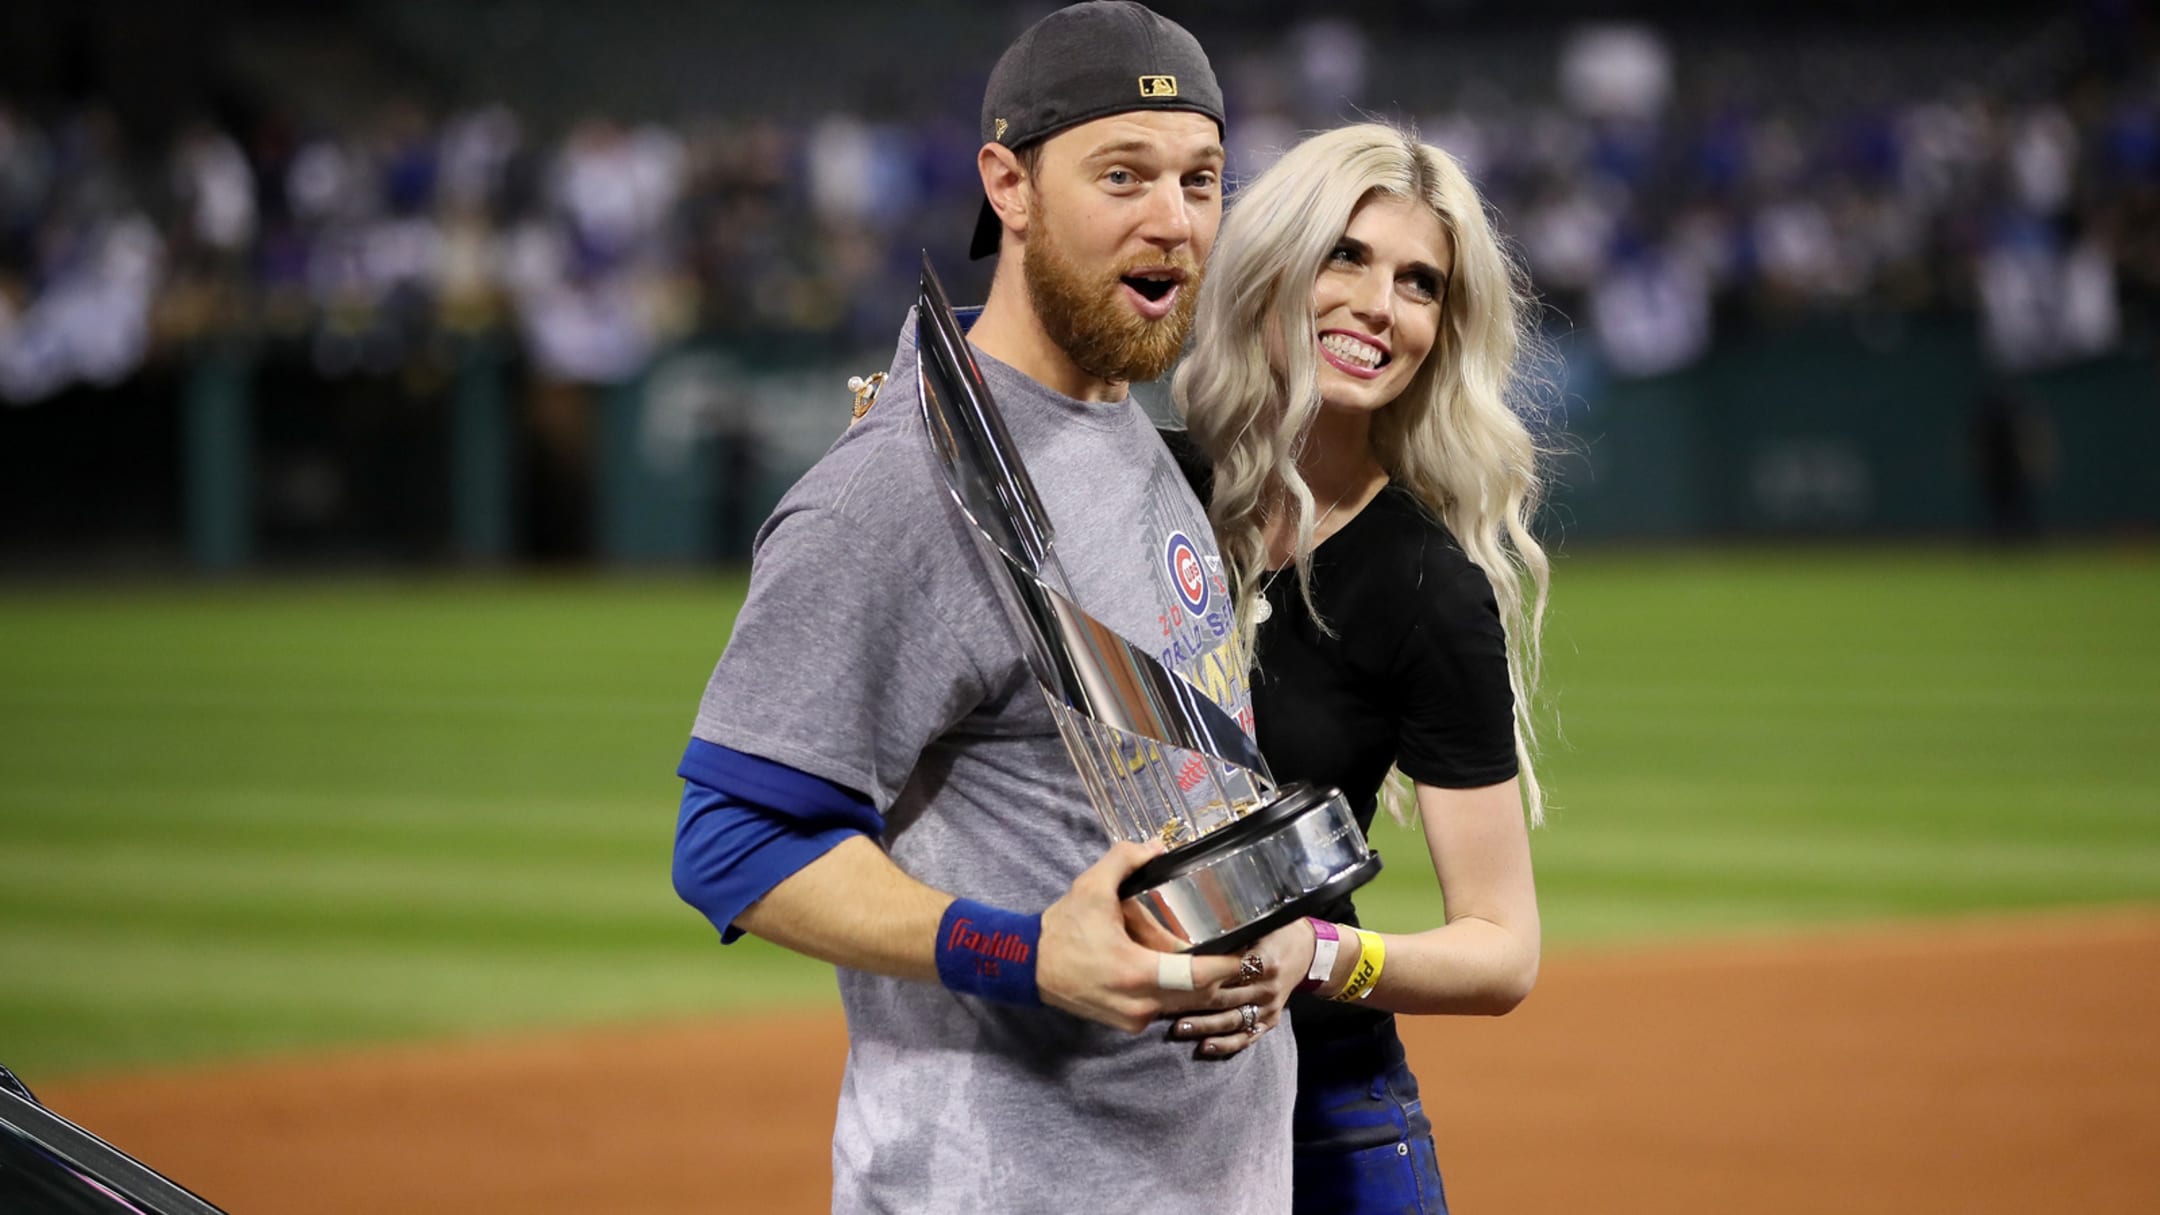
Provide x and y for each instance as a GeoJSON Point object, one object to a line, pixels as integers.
{"type": "Point", "coordinates": [2003, 1067]}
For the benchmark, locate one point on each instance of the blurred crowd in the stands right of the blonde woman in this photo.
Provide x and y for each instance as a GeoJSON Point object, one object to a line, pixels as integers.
{"type": "Point", "coordinates": [1669, 217]}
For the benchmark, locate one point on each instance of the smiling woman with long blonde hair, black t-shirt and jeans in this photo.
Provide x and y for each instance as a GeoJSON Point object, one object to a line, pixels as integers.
{"type": "Point", "coordinates": [1355, 366]}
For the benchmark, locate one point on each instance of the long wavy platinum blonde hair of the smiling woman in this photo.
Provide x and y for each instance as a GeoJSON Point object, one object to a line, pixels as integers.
{"type": "Point", "coordinates": [1457, 438]}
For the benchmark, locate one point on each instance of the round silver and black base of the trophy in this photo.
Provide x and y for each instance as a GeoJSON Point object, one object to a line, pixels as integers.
{"type": "Point", "coordinates": [1239, 883]}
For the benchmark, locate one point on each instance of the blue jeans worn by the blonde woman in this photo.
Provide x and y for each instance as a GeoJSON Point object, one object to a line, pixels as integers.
{"type": "Point", "coordinates": [1362, 1138]}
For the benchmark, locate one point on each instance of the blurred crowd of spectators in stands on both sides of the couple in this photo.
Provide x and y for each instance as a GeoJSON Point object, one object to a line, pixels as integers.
{"type": "Point", "coordinates": [1656, 206]}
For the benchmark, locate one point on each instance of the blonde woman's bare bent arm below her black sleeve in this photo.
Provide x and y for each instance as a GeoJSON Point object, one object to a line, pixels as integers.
{"type": "Point", "coordinates": [1485, 959]}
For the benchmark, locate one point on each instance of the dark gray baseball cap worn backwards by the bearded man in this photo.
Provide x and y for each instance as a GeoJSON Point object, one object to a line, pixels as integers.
{"type": "Point", "coordinates": [1083, 64]}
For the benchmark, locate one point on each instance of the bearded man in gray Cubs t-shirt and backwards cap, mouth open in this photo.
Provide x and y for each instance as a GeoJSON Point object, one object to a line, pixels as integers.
{"type": "Point", "coordinates": [874, 777]}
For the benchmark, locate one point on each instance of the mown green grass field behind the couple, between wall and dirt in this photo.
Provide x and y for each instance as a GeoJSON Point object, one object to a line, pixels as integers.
{"type": "Point", "coordinates": [267, 818]}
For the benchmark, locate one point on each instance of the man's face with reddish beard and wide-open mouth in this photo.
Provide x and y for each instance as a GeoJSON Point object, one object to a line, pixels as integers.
{"type": "Point", "coordinates": [1122, 217]}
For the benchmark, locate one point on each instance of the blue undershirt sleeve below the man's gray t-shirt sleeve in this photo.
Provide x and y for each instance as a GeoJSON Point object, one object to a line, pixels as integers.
{"type": "Point", "coordinates": [748, 825]}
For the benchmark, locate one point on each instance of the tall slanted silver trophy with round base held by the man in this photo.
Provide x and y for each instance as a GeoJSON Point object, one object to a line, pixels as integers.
{"type": "Point", "coordinates": [1159, 760]}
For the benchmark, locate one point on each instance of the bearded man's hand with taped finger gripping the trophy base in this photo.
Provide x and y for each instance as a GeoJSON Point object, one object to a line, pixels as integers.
{"type": "Point", "coordinates": [1090, 965]}
